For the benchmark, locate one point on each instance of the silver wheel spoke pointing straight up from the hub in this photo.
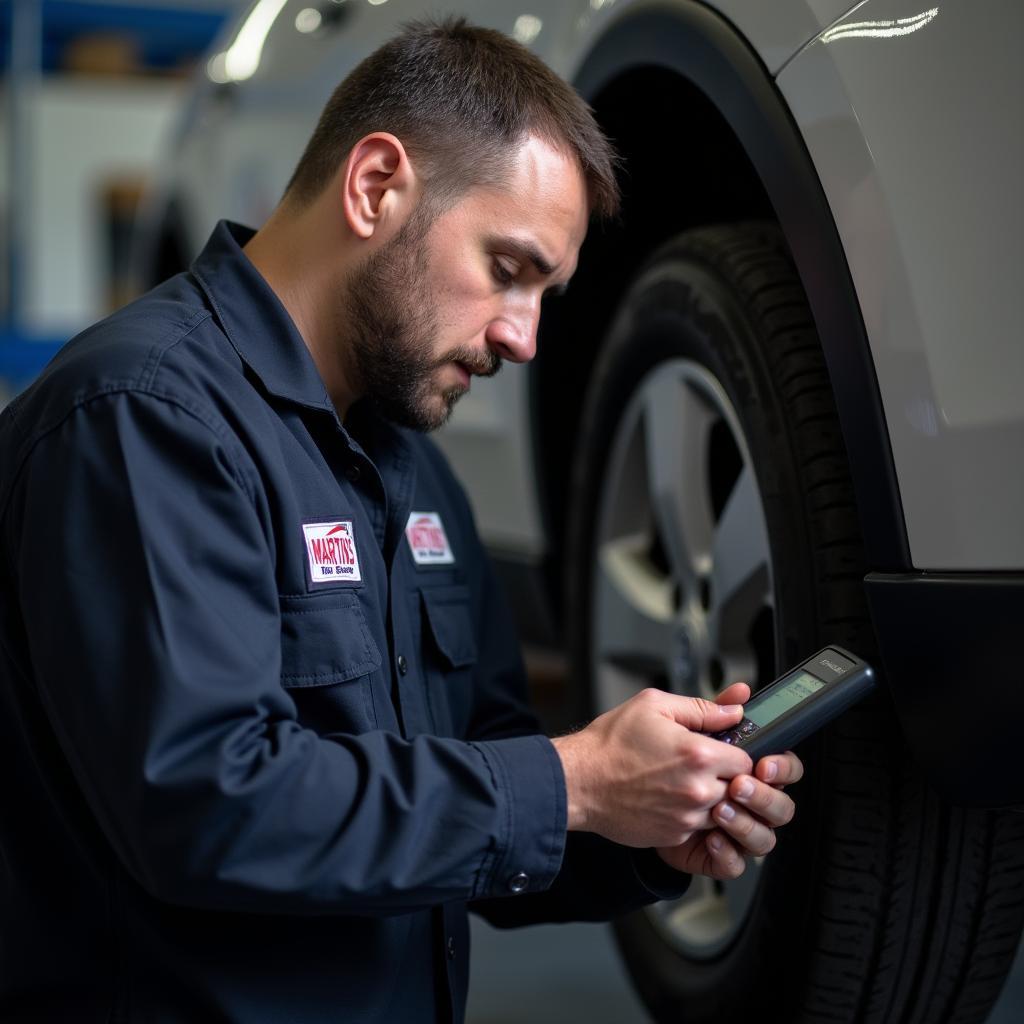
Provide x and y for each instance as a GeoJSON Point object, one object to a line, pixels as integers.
{"type": "Point", "coordinates": [677, 422]}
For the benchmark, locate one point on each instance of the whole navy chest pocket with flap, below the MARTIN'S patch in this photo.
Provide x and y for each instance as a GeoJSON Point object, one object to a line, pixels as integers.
{"type": "Point", "coordinates": [328, 657]}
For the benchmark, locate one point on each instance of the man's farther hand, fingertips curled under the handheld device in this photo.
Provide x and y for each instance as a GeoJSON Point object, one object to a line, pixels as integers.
{"type": "Point", "coordinates": [747, 820]}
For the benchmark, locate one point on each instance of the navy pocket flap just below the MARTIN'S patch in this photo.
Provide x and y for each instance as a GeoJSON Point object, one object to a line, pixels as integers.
{"type": "Point", "coordinates": [325, 639]}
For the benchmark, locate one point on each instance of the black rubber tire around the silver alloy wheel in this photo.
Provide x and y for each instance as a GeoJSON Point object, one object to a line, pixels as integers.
{"type": "Point", "coordinates": [881, 904]}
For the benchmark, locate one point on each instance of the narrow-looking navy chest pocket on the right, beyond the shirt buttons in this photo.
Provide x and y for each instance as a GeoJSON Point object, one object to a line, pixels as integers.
{"type": "Point", "coordinates": [450, 655]}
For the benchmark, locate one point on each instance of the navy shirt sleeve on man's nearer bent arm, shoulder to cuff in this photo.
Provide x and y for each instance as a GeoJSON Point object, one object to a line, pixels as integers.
{"type": "Point", "coordinates": [144, 568]}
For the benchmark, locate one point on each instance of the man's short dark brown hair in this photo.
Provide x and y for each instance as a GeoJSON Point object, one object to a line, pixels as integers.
{"type": "Point", "coordinates": [458, 98]}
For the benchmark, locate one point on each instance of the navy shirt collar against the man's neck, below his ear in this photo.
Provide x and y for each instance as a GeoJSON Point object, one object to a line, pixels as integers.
{"type": "Point", "coordinates": [255, 321]}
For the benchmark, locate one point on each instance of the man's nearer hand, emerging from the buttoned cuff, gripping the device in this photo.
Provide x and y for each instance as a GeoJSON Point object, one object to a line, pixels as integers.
{"type": "Point", "coordinates": [643, 775]}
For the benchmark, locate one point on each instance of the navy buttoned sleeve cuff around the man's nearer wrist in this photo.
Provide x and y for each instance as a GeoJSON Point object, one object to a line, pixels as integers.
{"type": "Point", "coordinates": [531, 787]}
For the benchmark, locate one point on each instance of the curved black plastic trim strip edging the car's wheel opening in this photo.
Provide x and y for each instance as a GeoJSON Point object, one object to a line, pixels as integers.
{"type": "Point", "coordinates": [703, 48]}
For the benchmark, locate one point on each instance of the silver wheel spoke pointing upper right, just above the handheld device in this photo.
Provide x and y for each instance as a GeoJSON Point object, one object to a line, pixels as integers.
{"type": "Point", "coordinates": [741, 582]}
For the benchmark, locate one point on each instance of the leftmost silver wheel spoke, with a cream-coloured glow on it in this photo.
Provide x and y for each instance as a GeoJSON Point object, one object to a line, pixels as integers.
{"type": "Point", "coordinates": [634, 603]}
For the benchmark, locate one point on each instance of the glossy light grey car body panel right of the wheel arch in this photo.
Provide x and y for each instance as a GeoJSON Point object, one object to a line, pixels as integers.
{"type": "Point", "coordinates": [916, 188]}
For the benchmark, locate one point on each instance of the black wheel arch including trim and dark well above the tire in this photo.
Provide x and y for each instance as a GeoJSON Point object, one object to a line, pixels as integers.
{"type": "Point", "coordinates": [751, 162]}
